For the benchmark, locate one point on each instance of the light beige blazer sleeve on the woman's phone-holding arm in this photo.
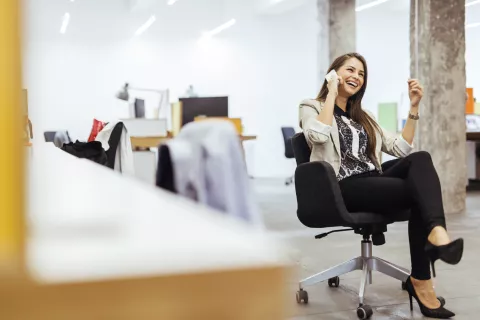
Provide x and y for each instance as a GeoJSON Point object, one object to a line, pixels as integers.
{"type": "Point", "coordinates": [315, 131]}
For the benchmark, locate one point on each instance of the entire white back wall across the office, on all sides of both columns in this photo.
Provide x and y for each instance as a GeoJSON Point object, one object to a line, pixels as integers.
{"type": "Point", "coordinates": [266, 63]}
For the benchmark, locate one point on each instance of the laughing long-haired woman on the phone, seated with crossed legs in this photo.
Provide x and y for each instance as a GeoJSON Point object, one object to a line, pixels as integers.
{"type": "Point", "coordinates": [340, 132]}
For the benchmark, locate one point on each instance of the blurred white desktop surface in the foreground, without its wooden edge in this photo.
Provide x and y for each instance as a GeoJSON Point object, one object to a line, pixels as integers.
{"type": "Point", "coordinates": [87, 222]}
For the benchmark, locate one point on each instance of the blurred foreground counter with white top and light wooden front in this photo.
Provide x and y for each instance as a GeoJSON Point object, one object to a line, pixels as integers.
{"type": "Point", "coordinates": [104, 246]}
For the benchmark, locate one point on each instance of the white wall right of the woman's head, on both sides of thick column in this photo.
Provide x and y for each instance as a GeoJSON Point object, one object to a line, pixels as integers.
{"type": "Point", "coordinates": [383, 38]}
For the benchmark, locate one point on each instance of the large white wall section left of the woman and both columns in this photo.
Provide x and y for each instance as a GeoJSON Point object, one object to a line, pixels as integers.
{"type": "Point", "coordinates": [265, 64]}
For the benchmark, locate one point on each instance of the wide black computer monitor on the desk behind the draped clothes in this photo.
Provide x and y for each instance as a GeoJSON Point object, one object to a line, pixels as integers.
{"type": "Point", "coordinates": [208, 107]}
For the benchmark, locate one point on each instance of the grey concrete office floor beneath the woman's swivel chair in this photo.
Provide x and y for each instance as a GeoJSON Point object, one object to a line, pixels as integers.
{"type": "Point", "coordinates": [459, 285]}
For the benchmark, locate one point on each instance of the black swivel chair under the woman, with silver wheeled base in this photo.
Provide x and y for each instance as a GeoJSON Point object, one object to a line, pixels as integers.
{"type": "Point", "coordinates": [320, 205]}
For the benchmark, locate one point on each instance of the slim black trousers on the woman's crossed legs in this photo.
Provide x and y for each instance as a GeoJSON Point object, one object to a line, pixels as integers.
{"type": "Point", "coordinates": [408, 183]}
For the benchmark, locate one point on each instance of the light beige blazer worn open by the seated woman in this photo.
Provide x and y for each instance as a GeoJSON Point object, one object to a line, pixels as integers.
{"type": "Point", "coordinates": [324, 140]}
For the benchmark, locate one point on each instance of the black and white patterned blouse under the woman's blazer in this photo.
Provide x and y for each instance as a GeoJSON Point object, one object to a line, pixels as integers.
{"type": "Point", "coordinates": [353, 146]}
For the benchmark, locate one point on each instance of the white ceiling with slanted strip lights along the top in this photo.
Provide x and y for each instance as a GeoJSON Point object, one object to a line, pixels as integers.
{"type": "Point", "coordinates": [104, 20]}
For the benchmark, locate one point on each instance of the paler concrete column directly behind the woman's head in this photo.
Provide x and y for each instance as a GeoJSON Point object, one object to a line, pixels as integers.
{"type": "Point", "coordinates": [337, 31]}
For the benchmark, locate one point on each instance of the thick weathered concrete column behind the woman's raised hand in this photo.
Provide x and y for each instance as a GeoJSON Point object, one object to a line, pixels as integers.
{"type": "Point", "coordinates": [441, 68]}
